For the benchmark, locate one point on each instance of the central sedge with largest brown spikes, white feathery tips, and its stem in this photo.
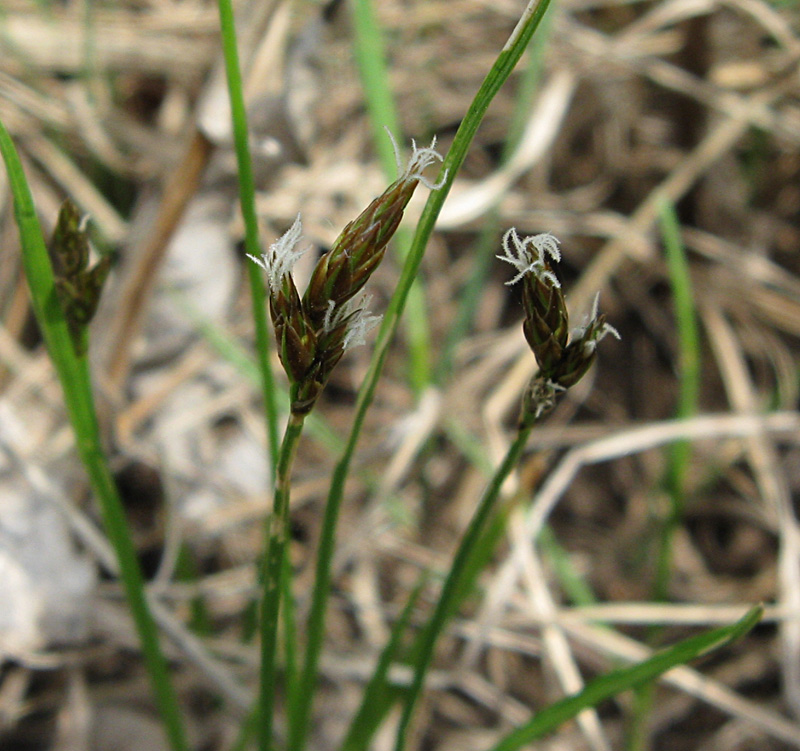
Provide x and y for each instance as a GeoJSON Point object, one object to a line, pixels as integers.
{"type": "Point", "coordinates": [312, 333]}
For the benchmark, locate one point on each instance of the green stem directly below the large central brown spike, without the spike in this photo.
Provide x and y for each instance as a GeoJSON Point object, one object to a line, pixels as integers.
{"type": "Point", "coordinates": [278, 531]}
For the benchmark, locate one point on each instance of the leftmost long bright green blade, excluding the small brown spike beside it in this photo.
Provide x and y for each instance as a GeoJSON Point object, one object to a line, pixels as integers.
{"type": "Point", "coordinates": [73, 372]}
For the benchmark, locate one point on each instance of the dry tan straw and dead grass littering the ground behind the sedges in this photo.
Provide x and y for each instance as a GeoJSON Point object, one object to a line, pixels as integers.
{"type": "Point", "coordinates": [124, 111]}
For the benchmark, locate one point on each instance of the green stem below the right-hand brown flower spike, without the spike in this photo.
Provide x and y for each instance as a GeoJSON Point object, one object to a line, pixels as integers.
{"type": "Point", "coordinates": [453, 583]}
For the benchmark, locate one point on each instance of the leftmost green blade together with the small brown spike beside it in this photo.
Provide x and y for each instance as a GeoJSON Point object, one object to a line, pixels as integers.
{"type": "Point", "coordinates": [65, 291]}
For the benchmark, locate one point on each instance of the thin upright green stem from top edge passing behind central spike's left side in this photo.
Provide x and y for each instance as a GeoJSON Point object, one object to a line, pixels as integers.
{"type": "Point", "coordinates": [247, 199]}
